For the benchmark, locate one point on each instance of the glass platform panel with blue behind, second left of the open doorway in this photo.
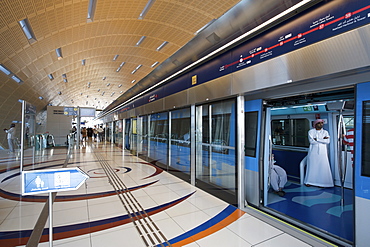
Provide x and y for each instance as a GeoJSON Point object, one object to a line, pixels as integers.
{"type": "Point", "coordinates": [180, 140]}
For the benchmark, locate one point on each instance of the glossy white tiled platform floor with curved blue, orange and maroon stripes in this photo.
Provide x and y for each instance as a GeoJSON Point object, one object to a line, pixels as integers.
{"type": "Point", "coordinates": [197, 219]}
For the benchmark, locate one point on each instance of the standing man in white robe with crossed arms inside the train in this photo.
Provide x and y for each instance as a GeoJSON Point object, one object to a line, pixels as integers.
{"type": "Point", "coordinates": [318, 168]}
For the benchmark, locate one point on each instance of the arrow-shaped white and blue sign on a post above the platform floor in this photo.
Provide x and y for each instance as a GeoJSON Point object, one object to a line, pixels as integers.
{"type": "Point", "coordinates": [53, 180]}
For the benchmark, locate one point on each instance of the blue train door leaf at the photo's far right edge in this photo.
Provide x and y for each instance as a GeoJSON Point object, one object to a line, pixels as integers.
{"type": "Point", "coordinates": [362, 165]}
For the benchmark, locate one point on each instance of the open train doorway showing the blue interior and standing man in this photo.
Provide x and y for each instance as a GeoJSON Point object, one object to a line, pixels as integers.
{"type": "Point", "coordinates": [308, 177]}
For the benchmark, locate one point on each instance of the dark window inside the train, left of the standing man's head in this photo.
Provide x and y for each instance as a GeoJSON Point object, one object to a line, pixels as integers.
{"type": "Point", "coordinates": [290, 132]}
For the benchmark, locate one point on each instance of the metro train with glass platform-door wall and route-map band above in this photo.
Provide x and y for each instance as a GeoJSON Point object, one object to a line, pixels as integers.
{"type": "Point", "coordinates": [217, 124]}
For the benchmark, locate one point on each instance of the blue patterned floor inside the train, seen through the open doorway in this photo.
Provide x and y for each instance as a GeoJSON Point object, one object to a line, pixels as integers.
{"type": "Point", "coordinates": [319, 207]}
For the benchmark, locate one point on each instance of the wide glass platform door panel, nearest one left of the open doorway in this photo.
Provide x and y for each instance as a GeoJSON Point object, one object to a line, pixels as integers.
{"type": "Point", "coordinates": [216, 169]}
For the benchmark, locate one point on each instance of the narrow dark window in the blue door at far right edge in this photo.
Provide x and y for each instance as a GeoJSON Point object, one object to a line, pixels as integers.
{"type": "Point", "coordinates": [365, 162]}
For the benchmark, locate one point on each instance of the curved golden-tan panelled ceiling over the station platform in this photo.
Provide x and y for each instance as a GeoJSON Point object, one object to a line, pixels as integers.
{"type": "Point", "coordinates": [114, 30]}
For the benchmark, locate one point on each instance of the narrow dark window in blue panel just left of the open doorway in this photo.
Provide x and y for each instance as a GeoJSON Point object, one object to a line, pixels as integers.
{"type": "Point", "coordinates": [251, 122]}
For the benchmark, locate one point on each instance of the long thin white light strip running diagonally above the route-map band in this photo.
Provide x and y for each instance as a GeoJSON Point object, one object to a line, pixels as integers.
{"type": "Point", "coordinates": [273, 19]}
